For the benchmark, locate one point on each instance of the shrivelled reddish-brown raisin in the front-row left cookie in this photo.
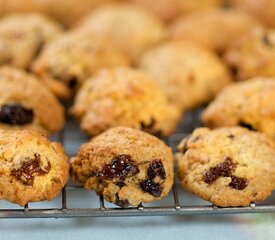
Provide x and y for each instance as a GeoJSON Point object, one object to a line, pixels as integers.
{"type": "Point", "coordinates": [29, 169]}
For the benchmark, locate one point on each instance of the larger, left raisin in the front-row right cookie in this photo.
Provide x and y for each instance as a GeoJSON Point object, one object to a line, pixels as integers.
{"type": "Point", "coordinates": [223, 169]}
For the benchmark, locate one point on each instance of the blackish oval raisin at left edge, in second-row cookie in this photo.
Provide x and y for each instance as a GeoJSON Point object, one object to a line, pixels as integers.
{"type": "Point", "coordinates": [15, 114]}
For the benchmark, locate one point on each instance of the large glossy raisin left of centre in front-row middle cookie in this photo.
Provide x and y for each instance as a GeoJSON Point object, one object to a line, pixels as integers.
{"type": "Point", "coordinates": [121, 166]}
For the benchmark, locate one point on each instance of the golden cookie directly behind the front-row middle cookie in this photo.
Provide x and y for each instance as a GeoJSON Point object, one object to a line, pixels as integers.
{"type": "Point", "coordinates": [124, 97]}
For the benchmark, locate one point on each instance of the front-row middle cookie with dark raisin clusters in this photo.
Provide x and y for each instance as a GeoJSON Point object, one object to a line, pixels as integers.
{"type": "Point", "coordinates": [126, 166]}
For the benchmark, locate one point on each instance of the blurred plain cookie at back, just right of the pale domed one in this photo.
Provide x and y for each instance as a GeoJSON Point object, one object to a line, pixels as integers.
{"type": "Point", "coordinates": [215, 29]}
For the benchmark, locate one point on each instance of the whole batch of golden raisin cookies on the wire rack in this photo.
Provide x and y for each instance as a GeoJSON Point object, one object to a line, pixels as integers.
{"type": "Point", "coordinates": [129, 70]}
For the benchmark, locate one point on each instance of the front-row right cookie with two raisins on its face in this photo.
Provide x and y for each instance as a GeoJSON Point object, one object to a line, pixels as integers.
{"type": "Point", "coordinates": [227, 166]}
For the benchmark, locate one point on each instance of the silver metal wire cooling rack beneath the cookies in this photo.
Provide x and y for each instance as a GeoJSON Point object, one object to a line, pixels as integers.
{"type": "Point", "coordinates": [74, 201]}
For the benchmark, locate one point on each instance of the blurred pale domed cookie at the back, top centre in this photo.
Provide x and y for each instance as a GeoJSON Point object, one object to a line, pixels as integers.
{"type": "Point", "coordinates": [130, 28]}
